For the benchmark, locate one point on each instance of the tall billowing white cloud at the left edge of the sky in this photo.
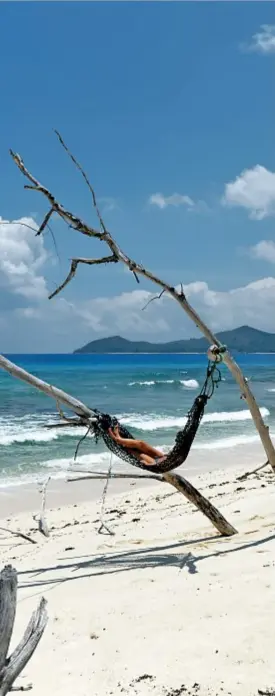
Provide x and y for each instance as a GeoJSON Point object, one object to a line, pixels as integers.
{"type": "Point", "coordinates": [21, 256]}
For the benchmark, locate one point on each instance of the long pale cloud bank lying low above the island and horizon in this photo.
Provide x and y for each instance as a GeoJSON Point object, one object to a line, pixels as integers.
{"type": "Point", "coordinates": [59, 325]}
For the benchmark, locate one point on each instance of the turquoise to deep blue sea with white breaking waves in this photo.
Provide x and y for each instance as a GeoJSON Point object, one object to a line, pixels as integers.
{"type": "Point", "coordinates": [150, 393]}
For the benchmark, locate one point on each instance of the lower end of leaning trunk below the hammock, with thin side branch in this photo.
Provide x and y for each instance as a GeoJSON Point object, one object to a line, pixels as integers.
{"type": "Point", "coordinates": [182, 485]}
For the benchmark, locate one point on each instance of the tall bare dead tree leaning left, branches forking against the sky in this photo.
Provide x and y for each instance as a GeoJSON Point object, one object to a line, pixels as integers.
{"type": "Point", "coordinates": [117, 255]}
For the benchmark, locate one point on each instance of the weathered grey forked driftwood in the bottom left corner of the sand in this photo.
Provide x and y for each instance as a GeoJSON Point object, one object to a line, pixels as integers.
{"type": "Point", "coordinates": [11, 666]}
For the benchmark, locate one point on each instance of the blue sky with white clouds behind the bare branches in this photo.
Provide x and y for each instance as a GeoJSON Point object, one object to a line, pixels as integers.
{"type": "Point", "coordinates": [170, 108]}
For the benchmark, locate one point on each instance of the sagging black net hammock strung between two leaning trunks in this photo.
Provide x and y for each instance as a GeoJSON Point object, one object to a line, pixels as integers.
{"type": "Point", "coordinates": [184, 437]}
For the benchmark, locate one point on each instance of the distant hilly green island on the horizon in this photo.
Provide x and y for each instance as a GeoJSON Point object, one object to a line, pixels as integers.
{"type": "Point", "coordinates": [245, 339]}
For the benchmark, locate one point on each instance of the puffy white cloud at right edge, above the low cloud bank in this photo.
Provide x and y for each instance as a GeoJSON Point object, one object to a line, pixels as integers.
{"type": "Point", "coordinates": [253, 190]}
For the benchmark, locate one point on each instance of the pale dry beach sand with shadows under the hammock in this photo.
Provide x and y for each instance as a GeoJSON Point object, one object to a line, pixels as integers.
{"type": "Point", "coordinates": [166, 606]}
